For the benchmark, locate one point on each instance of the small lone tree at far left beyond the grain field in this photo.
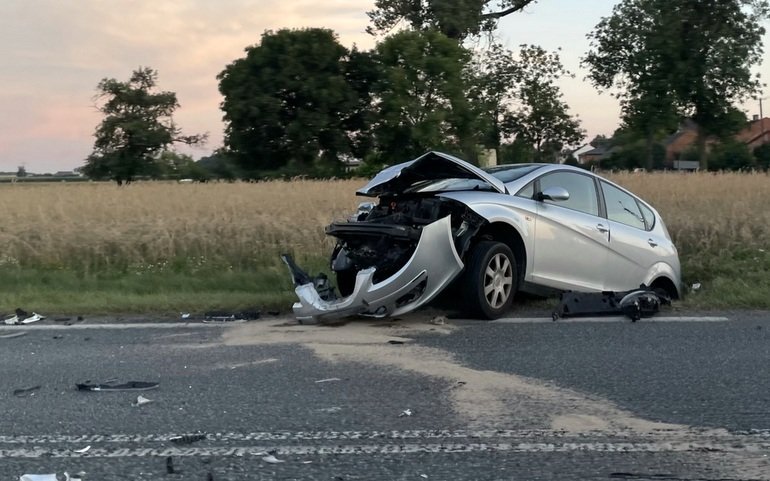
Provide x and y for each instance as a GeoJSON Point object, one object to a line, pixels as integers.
{"type": "Point", "coordinates": [137, 126]}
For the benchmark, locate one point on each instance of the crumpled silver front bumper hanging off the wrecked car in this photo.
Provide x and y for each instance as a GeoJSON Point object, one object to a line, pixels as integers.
{"type": "Point", "coordinates": [430, 269]}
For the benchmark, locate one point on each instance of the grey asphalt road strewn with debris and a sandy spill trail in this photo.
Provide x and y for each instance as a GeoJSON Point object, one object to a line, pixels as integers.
{"type": "Point", "coordinates": [461, 400]}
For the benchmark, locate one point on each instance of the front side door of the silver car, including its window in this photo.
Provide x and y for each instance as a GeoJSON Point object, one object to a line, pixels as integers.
{"type": "Point", "coordinates": [571, 239]}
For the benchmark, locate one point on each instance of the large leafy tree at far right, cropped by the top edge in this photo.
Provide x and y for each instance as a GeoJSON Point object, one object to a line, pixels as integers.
{"type": "Point", "coordinates": [669, 58]}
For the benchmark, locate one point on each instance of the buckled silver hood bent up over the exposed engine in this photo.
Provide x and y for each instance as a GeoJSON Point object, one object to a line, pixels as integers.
{"type": "Point", "coordinates": [431, 166]}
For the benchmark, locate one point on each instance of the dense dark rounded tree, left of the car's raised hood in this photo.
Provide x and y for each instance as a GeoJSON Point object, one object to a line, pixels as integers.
{"type": "Point", "coordinates": [289, 101]}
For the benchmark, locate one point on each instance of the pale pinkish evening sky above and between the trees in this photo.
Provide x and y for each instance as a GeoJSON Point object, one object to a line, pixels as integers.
{"type": "Point", "coordinates": [55, 52]}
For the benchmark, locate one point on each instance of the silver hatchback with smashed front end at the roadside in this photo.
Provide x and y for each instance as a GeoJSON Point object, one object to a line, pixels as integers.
{"type": "Point", "coordinates": [488, 233]}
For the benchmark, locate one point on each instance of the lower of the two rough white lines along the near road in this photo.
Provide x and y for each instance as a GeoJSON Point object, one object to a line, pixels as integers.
{"type": "Point", "coordinates": [405, 448]}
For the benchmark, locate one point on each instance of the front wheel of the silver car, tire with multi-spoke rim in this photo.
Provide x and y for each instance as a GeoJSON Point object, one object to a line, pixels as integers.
{"type": "Point", "coordinates": [489, 281]}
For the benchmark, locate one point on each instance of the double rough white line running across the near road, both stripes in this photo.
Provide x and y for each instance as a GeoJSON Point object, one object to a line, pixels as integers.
{"type": "Point", "coordinates": [376, 442]}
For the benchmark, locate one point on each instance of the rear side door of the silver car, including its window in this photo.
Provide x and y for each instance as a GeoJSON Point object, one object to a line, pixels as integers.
{"type": "Point", "coordinates": [632, 247]}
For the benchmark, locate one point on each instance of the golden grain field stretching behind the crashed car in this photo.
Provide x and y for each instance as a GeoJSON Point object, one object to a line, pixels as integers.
{"type": "Point", "coordinates": [720, 223]}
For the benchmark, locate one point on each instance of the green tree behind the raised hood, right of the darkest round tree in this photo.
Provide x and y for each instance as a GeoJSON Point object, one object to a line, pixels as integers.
{"type": "Point", "coordinates": [421, 100]}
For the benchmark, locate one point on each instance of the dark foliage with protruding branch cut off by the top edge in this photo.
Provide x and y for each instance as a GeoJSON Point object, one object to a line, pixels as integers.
{"type": "Point", "coordinates": [456, 19]}
